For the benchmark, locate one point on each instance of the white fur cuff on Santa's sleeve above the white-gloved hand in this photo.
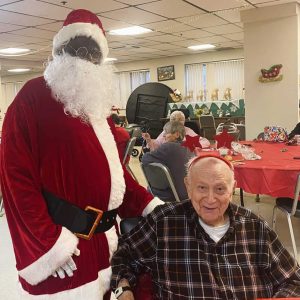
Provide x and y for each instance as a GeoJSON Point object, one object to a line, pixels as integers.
{"type": "Point", "coordinates": [45, 266]}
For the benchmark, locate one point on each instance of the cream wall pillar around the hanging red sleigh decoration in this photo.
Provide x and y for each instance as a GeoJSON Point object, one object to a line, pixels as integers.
{"type": "Point", "coordinates": [271, 37]}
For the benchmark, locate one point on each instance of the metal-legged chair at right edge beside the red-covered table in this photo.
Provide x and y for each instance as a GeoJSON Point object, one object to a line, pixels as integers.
{"type": "Point", "coordinates": [291, 208]}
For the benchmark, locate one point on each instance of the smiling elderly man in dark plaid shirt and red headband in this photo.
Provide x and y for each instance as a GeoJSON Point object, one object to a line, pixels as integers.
{"type": "Point", "coordinates": [206, 247]}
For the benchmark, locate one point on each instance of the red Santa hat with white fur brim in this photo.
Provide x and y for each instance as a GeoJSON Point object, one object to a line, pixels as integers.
{"type": "Point", "coordinates": [81, 22]}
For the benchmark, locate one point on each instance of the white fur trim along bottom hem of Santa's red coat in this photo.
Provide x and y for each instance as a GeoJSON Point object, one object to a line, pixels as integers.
{"type": "Point", "coordinates": [92, 291]}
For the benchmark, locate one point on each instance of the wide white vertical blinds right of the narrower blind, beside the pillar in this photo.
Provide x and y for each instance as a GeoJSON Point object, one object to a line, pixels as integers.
{"type": "Point", "coordinates": [224, 75]}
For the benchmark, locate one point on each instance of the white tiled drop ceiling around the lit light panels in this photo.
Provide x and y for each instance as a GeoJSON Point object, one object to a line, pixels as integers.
{"type": "Point", "coordinates": [176, 24]}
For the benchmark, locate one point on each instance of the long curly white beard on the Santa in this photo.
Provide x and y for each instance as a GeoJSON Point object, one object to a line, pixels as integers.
{"type": "Point", "coordinates": [86, 90]}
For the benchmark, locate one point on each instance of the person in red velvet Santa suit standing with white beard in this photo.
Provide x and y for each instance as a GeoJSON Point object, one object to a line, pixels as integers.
{"type": "Point", "coordinates": [59, 157]}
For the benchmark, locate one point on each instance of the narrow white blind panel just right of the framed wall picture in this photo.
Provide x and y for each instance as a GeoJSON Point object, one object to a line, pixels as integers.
{"type": "Point", "coordinates": [194, 83]}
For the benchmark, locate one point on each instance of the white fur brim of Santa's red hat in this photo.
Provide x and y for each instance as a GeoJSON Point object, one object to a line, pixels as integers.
{"type": "Point", "coordinates": [81, 29]}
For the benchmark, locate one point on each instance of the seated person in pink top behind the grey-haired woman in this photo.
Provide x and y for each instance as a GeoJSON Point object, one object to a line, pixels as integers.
{"type": "Point", "coordinates": [179, 117]}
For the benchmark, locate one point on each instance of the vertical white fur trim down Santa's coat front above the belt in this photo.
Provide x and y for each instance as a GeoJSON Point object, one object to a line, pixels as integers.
{"type": "Point", "coordinates": [107, 141]}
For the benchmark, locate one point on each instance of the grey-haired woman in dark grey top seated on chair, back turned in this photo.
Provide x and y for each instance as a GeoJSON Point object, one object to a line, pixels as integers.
{"type": "Point", "coordinates": [174, 156]}
